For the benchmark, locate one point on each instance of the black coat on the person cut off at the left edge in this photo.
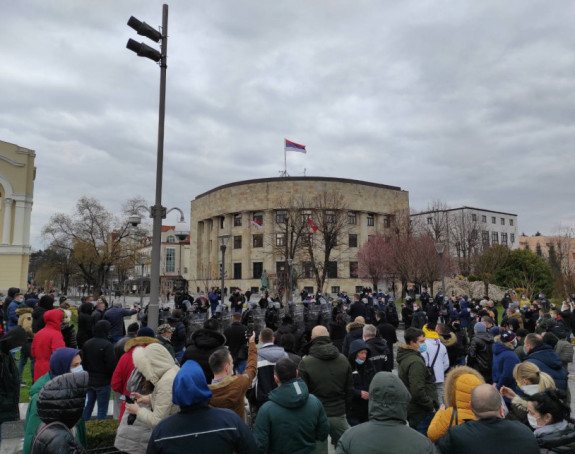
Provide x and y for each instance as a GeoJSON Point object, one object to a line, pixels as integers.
{"type": "Point", "coordinates": [9, 376]}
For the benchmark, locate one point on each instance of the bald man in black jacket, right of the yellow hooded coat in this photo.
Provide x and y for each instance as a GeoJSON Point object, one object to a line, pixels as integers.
{"type": "Point", "coordinates": [490, 432]}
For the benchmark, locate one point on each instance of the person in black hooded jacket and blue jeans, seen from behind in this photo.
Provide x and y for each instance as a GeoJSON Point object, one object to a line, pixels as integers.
{"type": "Point", "coordinates": [99, 360]}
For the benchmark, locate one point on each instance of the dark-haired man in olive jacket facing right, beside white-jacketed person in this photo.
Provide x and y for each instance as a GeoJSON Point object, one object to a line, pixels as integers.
{"type": "Point", "coordinates": [417, 379]}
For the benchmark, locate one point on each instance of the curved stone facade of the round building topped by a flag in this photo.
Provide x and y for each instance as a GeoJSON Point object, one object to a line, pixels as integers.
{"type": "Point", "coordinates": [214, 212]}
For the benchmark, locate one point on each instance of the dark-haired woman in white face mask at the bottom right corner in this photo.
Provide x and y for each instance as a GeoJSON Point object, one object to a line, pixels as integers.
{"type": "Point", "coordinates": [549, 415]}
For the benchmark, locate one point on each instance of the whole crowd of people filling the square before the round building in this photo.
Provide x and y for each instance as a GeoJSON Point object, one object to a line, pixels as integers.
{"type": "Point", "coordinates": [466, 379]}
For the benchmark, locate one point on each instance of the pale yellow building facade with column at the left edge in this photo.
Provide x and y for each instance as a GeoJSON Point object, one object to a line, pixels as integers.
{"type": "Point", "coordinates": [17, 174]}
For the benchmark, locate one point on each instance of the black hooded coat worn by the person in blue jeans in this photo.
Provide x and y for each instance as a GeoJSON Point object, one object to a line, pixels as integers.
{"type": "Point", "coordinates": [98, 357]}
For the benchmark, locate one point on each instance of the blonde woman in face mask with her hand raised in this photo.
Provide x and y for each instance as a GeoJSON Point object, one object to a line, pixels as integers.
{"type": "Point", "coordinates": [531, 381]}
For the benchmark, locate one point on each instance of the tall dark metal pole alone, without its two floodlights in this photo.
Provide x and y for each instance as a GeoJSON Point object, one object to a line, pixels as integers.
{"type": "Point", "coordinates": [158, 212]}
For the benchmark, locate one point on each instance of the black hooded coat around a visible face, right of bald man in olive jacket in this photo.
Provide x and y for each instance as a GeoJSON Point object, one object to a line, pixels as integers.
{"type": "Point", "coordinates": [362, 374]}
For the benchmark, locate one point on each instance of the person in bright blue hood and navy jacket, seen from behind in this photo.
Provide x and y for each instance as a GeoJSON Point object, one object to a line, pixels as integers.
{"type": "Point", "coordinates": [198, 427]}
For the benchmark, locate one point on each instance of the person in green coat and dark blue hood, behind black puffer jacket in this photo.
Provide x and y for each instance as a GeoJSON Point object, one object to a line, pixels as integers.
{"type": "Point", "coordinates": [62, 361]}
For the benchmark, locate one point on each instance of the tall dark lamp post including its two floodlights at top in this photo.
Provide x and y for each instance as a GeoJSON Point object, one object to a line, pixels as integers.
{"type": "Point", "coordinates": [158, 212]}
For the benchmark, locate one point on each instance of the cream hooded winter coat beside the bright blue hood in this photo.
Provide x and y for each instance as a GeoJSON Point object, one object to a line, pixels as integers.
{"type": "Point", "coordinates": [159, 368]}
